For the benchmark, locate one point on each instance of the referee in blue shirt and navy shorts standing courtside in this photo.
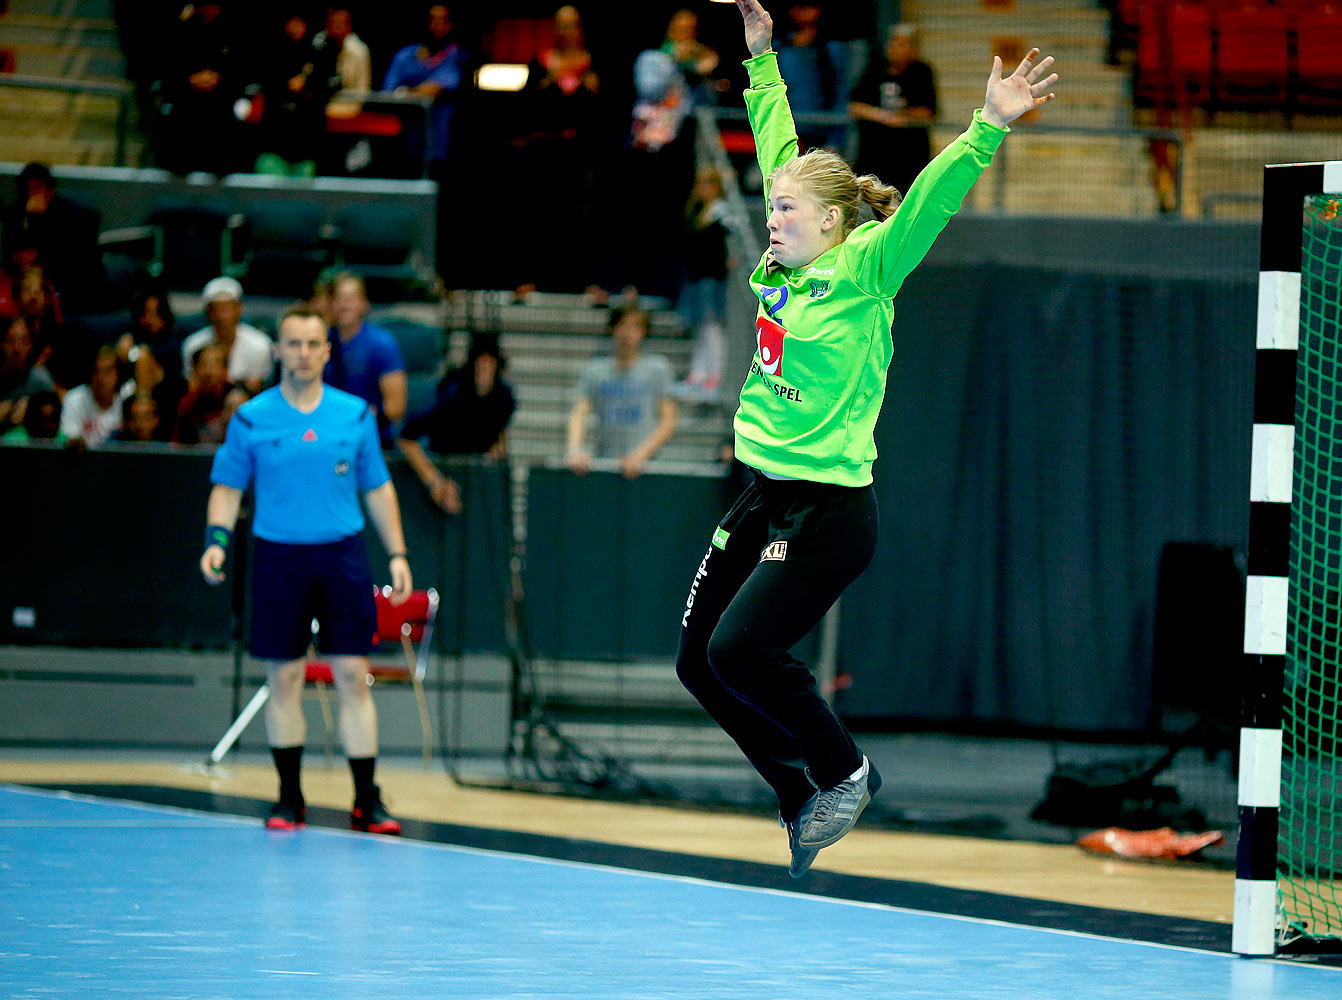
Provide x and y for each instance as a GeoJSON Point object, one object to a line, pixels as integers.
{"type": "Point", "coordinates": [311, 450]}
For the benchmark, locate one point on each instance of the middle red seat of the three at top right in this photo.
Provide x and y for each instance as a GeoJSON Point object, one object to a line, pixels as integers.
{"type": "Point", "coordinates": [1251, 56]}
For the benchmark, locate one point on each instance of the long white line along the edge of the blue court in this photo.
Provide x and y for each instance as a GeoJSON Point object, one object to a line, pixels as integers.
{"type": "Point", "coordinates": [393, 842]}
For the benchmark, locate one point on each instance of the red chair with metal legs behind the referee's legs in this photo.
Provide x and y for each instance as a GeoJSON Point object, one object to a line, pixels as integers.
{"type": "Point", "coordinates": [401, 656]}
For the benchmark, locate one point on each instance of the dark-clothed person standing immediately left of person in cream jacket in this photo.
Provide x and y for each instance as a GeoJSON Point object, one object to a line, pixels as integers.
{"type": "Point", "coordinates": [297, 80]}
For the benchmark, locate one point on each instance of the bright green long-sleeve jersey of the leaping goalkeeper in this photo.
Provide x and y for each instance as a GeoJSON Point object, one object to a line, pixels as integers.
{"type": "Point", "coordinates": [823, 344]}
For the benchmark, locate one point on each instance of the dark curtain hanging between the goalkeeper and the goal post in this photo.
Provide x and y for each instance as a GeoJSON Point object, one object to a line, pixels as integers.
{"type": "Point", "coordinates": [1045, 436]}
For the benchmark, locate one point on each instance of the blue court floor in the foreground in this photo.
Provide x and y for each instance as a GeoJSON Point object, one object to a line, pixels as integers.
{"type": "Point", "coordinates": [107, 899]}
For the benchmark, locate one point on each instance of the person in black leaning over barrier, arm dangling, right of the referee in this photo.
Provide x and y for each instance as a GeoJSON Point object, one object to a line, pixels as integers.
{"type": "Point", "coordinates": [470, 417]}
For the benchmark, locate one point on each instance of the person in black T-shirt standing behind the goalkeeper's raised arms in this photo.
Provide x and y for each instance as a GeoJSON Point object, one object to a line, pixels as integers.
{"type": "Point", "coordinates": [893, 104]}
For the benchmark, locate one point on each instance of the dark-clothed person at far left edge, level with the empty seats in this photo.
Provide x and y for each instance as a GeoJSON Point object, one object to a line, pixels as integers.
{"type": "Point", "coordinates": [49, 230]}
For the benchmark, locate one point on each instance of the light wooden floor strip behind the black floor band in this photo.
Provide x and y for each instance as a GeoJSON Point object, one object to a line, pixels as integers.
{"type": "Point", "coordinates": [1041, 872]}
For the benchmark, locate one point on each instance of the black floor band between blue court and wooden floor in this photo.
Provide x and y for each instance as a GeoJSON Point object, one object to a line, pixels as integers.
{"type": "Point", "coordinates": [919, 896]}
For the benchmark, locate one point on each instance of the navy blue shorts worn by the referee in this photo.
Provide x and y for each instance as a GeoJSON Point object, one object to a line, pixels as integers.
{"type": "Point", "coordinates": [295, 585]}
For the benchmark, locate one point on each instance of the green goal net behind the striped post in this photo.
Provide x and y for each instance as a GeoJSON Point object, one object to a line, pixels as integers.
{"type": "Point", "coordinates": [1310, 838]}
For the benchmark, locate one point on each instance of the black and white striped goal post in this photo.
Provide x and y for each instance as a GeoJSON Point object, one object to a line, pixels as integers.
{"type": "Point", "coordinates": [1285, 189]}
